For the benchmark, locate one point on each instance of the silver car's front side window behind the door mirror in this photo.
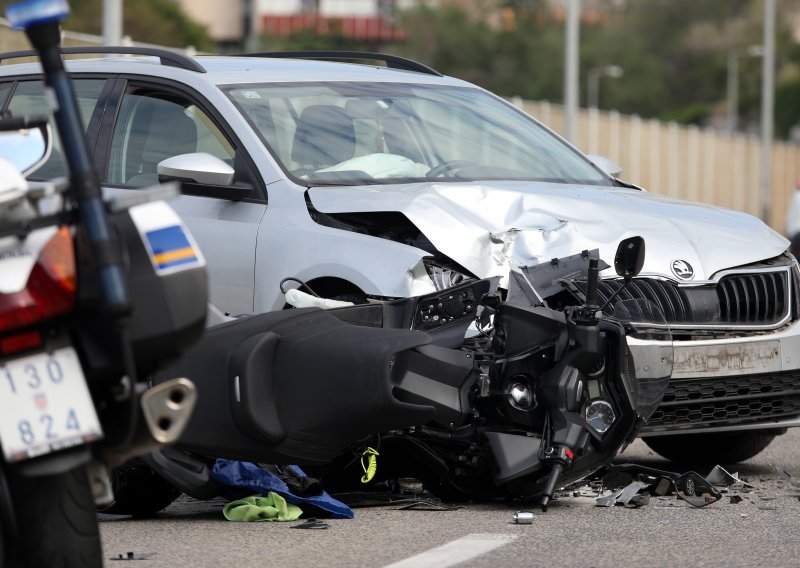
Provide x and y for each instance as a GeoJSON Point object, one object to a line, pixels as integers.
{"type": "Point", "coordinates": [152, 127]}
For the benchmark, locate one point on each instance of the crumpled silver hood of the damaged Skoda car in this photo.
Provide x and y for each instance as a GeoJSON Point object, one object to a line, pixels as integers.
{"type": "Point", "coordinates": [488, 228]}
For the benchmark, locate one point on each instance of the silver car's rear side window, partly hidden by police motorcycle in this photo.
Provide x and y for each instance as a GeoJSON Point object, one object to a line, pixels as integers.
{"type": "Point", "coordinates": [29, 98]}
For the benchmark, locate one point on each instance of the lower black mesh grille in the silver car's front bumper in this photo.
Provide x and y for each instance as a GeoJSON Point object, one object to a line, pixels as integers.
{"type": "Point", "coordinates": [743, 399]}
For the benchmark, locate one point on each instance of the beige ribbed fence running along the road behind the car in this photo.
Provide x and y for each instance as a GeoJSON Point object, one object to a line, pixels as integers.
{"type": "Point", "coordinates": [686, 162]}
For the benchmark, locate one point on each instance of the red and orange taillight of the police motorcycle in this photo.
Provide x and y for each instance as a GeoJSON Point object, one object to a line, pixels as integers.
{"type": "Point", "coordinates": [50, 290]}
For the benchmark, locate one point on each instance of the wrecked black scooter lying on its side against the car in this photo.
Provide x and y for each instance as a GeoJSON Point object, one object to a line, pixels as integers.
{"type": "Point", "coordinates": [538, 395]}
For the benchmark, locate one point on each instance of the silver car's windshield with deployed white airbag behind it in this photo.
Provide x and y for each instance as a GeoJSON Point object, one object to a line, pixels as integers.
{"type": "Point", "coordinates": [381, 133]}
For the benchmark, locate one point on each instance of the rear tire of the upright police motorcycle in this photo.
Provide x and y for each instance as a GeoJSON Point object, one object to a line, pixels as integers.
{"type": "Point", "coordinates": [57, 522]}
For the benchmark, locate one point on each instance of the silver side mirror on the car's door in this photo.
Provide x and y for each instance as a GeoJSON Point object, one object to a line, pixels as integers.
{"type": "Point", "coordinates": [203, 174]}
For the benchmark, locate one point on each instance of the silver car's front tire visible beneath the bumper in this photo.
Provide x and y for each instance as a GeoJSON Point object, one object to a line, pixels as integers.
{"type": "Point", "coordinates": [719, 448]}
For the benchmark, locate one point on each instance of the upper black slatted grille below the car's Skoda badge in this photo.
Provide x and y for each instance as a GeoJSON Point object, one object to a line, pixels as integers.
{"type": "Point", "coordinates": [741, 300]}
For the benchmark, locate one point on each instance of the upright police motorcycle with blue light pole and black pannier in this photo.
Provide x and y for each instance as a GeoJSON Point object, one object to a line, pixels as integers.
{"type": "Point", "coordinates": [95, 295]}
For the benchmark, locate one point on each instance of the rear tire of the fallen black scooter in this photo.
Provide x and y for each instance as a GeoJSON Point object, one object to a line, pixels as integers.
{"type": "Point", "coordinates": [139, 491]}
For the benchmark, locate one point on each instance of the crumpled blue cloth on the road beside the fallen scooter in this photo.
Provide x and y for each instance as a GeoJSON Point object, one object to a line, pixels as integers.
{"type": "Point", "coordinates": [245, 478]}
